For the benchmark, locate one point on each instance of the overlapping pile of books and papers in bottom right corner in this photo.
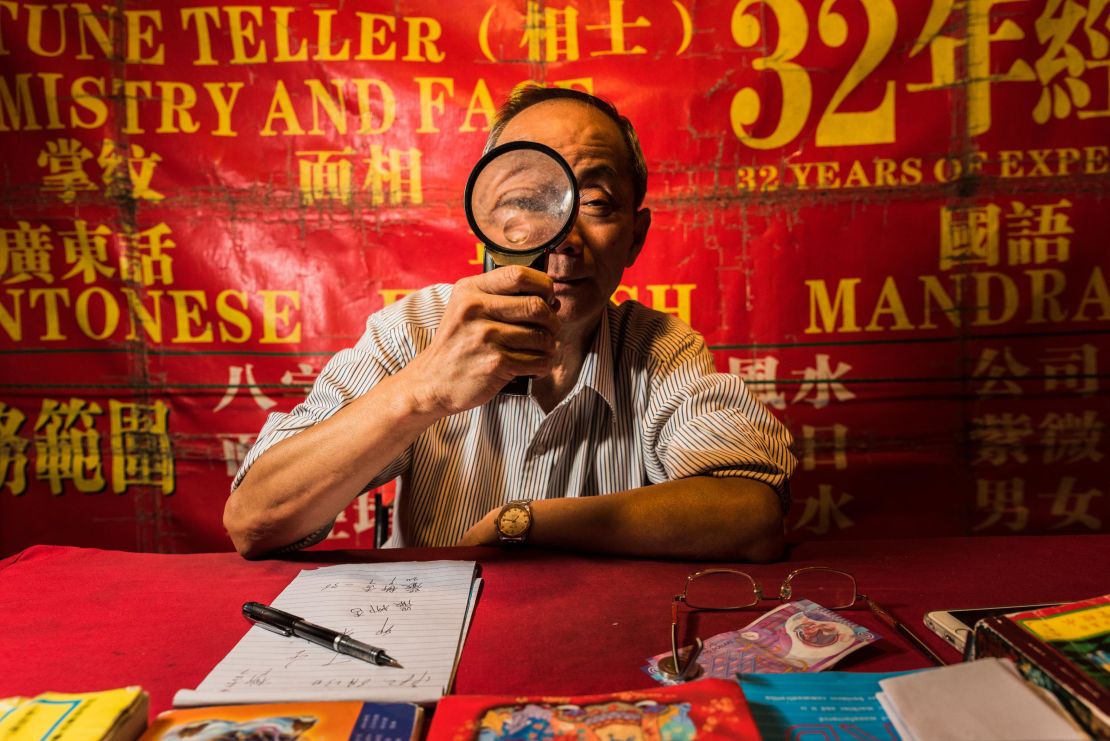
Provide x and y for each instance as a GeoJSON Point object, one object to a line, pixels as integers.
{"type": "Point", "coordinates": [1042, 674]}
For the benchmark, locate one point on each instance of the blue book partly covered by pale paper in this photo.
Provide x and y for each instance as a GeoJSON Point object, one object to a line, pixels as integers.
{"type": "Point", "coordinates": [833, 706]}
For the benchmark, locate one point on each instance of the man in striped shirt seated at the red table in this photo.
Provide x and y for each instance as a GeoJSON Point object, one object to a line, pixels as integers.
{"type": "Point", "coordinates": [625, 400]}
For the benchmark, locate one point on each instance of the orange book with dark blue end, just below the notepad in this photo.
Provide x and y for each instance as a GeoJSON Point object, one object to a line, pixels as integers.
{"type": "Point", "coordinates": [289, 722]}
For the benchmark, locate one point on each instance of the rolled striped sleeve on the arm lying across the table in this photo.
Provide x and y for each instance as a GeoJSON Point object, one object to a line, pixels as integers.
{"type": "Point", "coordinates": [704, 423]}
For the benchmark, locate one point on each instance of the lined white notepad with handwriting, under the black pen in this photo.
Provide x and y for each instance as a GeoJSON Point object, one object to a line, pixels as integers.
{"type": "Point", "coordinates": [419, 612]}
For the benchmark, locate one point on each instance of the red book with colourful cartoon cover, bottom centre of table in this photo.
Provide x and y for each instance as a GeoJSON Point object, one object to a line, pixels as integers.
{"type": "Point", "coordinates": [705, 710]}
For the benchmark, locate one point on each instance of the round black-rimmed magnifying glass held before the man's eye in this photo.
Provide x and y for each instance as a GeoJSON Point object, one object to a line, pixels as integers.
{"type": "Point", "coordinates": [521, 201]}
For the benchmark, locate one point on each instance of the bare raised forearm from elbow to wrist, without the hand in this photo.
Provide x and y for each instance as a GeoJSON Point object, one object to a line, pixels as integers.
{"type": "Point", "coordinates": [302, 483]}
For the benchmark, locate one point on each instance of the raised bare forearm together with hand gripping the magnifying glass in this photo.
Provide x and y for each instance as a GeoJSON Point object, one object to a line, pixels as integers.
{"type": "Point", "coordinates": [496, 327]}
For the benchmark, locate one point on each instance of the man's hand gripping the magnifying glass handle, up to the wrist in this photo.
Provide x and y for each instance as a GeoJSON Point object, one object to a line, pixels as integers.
{"type": "Point", "coordinates": [498, 326]}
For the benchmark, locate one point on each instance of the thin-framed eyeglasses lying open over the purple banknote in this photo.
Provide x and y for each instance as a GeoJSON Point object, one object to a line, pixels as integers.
{"type": "Point", "coordinates": [683, 669]}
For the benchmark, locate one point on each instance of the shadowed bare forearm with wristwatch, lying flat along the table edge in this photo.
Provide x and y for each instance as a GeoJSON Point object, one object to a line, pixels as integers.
{"type": "Point", "coordinates": [703, 519]}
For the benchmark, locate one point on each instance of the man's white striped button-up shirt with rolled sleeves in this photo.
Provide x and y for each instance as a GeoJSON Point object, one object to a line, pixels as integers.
{"type": "Point", "coordinates": [648, 408]}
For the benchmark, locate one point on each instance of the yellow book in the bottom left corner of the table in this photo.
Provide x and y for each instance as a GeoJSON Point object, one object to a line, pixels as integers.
{"type": "Point", "coordinates": [117, 715]}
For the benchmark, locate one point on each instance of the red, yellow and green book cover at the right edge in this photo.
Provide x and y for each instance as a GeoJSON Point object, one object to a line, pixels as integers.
{"type": "Point", "coordinates": [1079, 631]}
